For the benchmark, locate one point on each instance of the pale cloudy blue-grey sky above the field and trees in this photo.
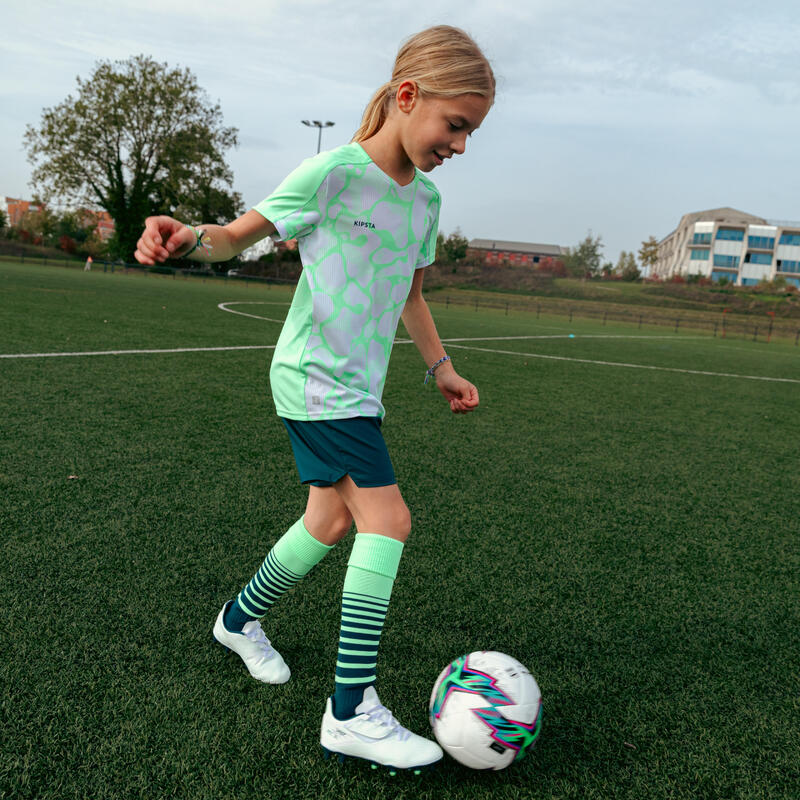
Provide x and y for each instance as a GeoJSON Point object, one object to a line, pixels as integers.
{"type": "Point", "coordinates": [614, 117]}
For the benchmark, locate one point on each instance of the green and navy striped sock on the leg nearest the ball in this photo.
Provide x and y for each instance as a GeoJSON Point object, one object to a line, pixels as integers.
{"type": "Point", "coordinates": [368, 583]}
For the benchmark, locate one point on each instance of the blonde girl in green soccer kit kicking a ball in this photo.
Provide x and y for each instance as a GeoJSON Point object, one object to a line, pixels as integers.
{"type": "Point", "coordinates": [366, 220]}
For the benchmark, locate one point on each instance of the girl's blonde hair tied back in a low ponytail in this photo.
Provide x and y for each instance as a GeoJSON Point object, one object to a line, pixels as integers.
{"type": "Point", "coordinates": [443, 61]}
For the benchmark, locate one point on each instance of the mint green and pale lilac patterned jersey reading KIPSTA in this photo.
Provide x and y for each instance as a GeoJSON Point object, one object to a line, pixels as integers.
{"type": "Point", "coordinates": [361, 236]}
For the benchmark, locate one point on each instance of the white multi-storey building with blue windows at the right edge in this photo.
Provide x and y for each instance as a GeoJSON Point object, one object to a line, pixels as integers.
{"type": "Point", "coordinates": [731, 245]}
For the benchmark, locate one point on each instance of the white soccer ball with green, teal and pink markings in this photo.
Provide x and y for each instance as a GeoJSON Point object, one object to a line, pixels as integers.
{"type": "Point", "coordinates": [486, 710]}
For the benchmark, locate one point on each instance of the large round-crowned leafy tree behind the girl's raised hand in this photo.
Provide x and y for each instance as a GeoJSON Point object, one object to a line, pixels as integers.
{"type": "Point", "coordinates": [140, 138]}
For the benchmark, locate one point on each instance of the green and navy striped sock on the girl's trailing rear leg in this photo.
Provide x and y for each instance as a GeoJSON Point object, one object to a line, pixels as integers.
{"type": "Point", "coordinates": [292, 557]}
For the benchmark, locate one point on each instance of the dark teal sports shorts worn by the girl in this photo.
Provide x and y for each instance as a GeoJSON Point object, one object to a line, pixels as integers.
{"type": "Point", "coordinates": [327, 450]}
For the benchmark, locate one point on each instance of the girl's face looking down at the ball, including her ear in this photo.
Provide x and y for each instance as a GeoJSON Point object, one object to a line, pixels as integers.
{"type": "Point", "coordinates": [436, 128]}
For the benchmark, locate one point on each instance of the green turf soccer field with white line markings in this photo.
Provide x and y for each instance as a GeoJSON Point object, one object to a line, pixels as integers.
{"type": "Point", "coordinates": [621, 514]}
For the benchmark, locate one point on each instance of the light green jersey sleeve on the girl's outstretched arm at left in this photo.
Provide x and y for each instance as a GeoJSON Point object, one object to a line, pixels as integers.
{"type": "Point", "coordinates": [294, 207]}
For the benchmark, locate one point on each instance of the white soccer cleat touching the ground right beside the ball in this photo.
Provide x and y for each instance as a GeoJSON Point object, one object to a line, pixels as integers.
{"type": "Point", "coordinates": [375, 735]}
